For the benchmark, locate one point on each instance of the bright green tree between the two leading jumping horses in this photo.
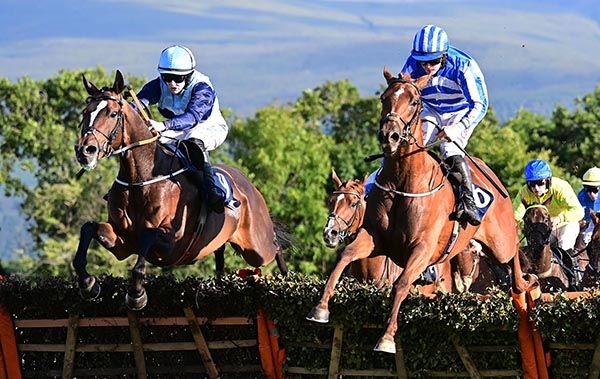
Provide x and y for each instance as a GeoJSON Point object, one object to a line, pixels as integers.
{"type": "Point", "coordinates": [287, 159]}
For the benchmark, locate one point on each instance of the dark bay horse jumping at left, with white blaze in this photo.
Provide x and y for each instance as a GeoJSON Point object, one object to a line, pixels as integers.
{"type": "Point", "coordinates": [153, 209]}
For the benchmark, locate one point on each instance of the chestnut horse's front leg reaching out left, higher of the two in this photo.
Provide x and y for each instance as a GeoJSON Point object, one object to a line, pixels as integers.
{"type": "Point", "coordinates": [360, 248]}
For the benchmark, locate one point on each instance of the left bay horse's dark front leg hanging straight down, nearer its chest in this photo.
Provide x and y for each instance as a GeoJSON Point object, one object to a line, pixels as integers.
{"type": "Point", "coordinates": [136, 298]}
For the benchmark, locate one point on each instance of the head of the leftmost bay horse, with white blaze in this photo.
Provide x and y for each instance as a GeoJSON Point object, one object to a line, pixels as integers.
{"type": "Point", "coordinates": [102, 126]}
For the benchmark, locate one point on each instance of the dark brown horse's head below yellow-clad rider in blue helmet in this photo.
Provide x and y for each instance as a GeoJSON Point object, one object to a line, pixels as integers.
{"type": "Point", "coordinates": [537, 229]}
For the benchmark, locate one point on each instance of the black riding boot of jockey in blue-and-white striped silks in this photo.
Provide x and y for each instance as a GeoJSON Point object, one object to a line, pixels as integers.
{"type": "Point", "coordinates": [466, 209]}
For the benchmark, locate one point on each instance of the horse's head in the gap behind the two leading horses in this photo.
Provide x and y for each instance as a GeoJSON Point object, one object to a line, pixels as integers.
{"type": "Point", "coordinates": [346, 210]}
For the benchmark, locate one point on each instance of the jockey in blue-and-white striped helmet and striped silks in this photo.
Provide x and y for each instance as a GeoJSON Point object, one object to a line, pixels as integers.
{"type": "Point", "coordinates": [454, 102]}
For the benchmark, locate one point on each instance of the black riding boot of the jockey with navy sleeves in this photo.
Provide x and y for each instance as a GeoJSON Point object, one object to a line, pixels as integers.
{"type": "Point", "coordinates": [206, 181]}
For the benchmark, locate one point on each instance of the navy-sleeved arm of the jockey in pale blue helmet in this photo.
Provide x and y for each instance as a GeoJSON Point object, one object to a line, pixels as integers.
{"type": "Point", "coordinates": [198, 109]}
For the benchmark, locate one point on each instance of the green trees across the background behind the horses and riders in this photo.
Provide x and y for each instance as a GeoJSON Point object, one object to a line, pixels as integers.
{"type": "Point", "coordinates": [288, 152]}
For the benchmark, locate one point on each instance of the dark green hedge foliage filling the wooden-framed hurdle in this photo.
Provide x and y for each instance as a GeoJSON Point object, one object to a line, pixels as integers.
{"type": "Point", "coordinates": [426, 326]}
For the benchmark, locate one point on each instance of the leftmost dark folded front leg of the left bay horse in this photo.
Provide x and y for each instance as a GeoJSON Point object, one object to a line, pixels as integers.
{"type": "Point", "coordinates": [88, 285]}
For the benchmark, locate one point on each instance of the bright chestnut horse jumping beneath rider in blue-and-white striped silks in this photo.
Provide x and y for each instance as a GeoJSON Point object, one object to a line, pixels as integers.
{"type": "Point", "coordinates": [408, 211]}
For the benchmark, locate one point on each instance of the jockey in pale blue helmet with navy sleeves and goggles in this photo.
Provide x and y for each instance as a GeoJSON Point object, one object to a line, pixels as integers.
{"type": "Point", "coordinates": [187, 99]}
